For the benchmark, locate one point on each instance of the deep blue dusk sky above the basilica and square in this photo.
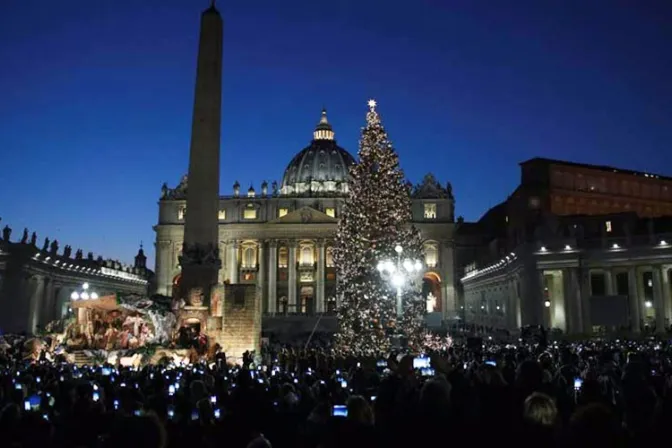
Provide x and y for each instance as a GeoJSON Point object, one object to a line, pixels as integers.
{"type": "Point", "coordinates": [96, 96]}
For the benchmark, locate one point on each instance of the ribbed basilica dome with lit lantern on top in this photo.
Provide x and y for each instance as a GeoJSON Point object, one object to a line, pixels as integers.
{"type": "Point", "coordinates": [322, 167]}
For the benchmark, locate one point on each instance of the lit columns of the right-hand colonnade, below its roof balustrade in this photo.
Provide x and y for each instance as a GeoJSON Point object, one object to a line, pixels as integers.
{"type": "Point", "coordinates": [560, 297]}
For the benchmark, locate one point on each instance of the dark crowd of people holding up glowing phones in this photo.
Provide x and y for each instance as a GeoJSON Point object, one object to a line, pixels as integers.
{"type": "Point", "coordinates": [613, 393]}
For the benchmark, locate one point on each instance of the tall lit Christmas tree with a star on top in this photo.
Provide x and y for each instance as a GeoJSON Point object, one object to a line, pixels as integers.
{"type": "Point", "coordinates": [375, 219]}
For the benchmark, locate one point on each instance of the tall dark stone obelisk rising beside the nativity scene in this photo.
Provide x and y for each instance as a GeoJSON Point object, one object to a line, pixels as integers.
{"type": "Point", "coordinates": [200, 260]}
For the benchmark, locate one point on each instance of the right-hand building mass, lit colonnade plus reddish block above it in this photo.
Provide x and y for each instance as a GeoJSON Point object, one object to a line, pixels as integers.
{"type": "Point", "coordinates": [576, 248]}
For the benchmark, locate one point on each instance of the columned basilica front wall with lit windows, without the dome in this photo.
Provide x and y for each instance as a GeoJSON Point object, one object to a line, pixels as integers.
{"type": "Point", "coordinates": [268, 235]}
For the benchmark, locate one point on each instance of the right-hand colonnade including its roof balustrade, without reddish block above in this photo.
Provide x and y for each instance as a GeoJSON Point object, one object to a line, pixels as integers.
{"type": "Point", "coordinates": [557, 283]}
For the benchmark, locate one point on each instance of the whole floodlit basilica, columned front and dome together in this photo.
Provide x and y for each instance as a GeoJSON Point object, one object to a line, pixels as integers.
{"type": "Point", "coordinates": [280, 236]}
